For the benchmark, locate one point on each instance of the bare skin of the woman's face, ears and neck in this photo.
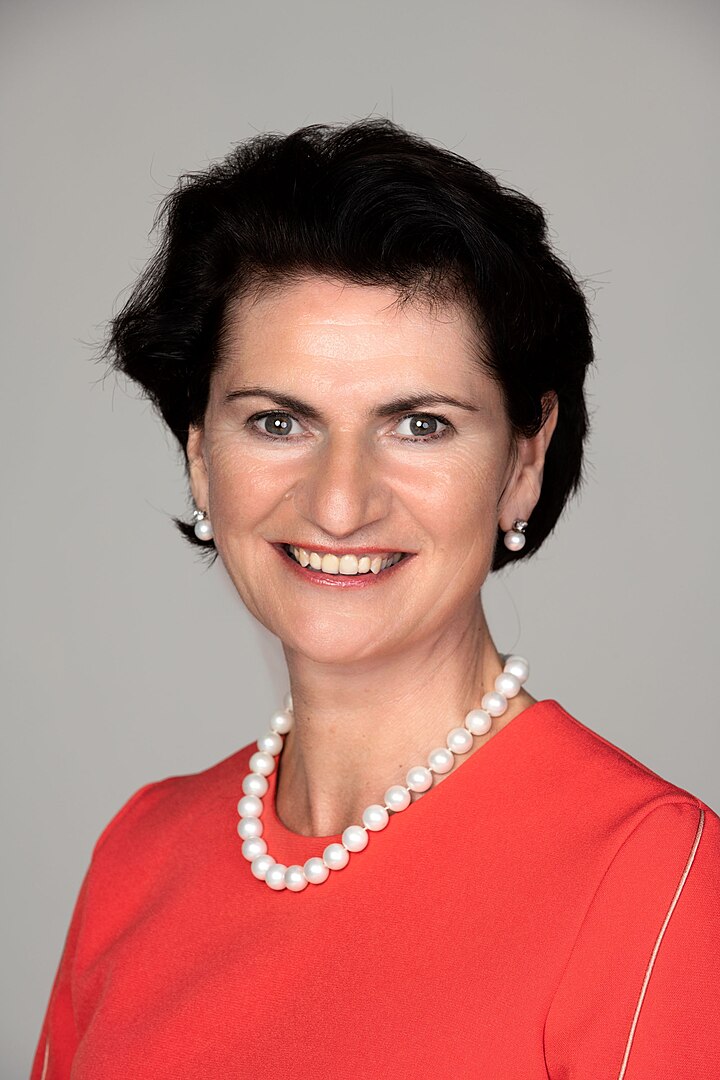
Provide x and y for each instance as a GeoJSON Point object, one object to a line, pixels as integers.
{"type": "Point", "coordinates": [378, 676]}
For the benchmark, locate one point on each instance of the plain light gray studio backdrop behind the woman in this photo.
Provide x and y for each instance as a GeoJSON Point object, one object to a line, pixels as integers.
{"type": "Point", "coordinates": [126, 660]}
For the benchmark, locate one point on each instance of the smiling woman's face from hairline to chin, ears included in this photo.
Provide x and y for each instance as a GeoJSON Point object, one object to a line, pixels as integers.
{"type": "Point", "coordinates": [331, 427]}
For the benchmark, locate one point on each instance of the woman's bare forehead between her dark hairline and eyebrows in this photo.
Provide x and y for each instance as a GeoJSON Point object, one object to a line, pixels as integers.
{"type": "Point", "coordinates": [338, 339]}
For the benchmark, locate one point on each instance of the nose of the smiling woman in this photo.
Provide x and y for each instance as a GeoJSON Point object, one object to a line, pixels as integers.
{"type": "Point", "coordinates": [342, 492]}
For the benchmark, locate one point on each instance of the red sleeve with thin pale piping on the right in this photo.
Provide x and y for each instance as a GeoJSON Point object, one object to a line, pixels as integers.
{"type": "Point", "coordinates": [640, 998]}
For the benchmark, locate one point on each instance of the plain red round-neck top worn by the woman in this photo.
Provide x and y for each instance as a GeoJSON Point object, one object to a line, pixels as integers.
{"type": "Point", "coordinates": [551, 909]}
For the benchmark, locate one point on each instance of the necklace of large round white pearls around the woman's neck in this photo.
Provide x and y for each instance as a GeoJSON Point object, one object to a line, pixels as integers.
{"type": "Point", "coordinates": [263, 763]}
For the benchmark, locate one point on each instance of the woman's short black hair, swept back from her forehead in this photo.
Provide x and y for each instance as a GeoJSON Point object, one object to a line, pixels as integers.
{"type": "Point", "coordinates": [370, 204]}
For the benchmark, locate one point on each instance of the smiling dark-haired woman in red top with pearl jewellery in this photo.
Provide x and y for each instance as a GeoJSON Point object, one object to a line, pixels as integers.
{"type": "Point", "coordinates": [375, 364]}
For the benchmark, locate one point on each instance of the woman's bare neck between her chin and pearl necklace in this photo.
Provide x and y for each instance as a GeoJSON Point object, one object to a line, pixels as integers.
{"type": "Point", "coordinates": [359, 730]}
